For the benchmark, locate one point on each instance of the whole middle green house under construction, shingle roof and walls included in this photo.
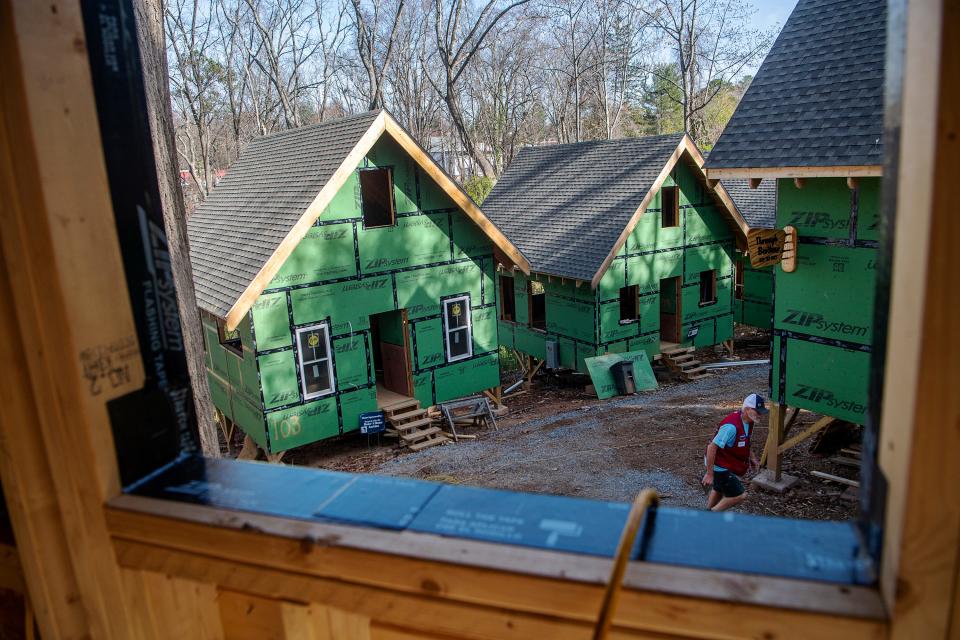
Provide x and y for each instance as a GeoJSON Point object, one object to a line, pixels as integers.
{"type": "Point", "coordinates": [629, 248]}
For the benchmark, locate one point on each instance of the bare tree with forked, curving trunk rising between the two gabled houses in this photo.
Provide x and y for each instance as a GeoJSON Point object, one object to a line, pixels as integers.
{"type": "Point", "coordinates": [459, 33]}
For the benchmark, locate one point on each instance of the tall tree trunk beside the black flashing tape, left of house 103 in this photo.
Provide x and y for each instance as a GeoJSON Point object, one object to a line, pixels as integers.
{"type": "Point", "coordinates": [150, 35]}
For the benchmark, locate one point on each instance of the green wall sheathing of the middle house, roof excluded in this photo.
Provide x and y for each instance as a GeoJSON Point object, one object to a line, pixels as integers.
{"type": "Point", "coordinates": [586, 323]}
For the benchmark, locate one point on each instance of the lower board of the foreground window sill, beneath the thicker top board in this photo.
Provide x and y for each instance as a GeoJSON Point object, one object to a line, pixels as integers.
{"type": "Point", "coordinates": [434, 614]}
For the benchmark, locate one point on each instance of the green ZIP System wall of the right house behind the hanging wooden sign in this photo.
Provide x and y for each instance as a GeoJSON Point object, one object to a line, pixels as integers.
{"type": "Point", "coordinates": [823, 311]}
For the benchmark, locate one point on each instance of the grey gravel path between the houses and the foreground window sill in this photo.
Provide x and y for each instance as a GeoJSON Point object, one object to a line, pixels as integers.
{"type": "Point", "coordinates": [606, 450]}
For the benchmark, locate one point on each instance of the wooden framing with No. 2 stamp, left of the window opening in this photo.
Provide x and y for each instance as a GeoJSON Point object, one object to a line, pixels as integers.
{"type": "Point", "coordinates": [62, 276]}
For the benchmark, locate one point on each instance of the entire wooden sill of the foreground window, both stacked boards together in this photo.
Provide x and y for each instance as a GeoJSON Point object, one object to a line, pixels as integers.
{"type": "Point", "coordinates": [356, 568]}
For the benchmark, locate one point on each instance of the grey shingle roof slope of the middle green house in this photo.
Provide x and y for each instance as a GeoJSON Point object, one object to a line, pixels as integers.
{"type": "Point", "coordinates": [565, 205]}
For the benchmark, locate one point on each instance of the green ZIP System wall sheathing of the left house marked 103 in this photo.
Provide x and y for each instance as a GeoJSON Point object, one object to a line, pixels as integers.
{"type": "Point", "coordinates": [342, 273]}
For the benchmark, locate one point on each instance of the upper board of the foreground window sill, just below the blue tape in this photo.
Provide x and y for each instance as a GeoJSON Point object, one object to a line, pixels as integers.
{"type": "Point", "coordinates": [494, 575]}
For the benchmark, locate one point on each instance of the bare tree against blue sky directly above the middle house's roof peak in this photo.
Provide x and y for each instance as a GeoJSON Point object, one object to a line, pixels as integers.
{"type": "Point", "coordinates": [710, 41]}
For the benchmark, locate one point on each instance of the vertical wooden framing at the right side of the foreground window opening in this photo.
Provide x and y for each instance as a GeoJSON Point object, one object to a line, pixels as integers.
{"type": "Point", "coordinates": [919, 438]}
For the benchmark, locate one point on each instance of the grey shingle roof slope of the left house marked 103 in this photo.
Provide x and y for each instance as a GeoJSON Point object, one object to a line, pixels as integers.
{"type": "Point", "coordinates": [244, 219]}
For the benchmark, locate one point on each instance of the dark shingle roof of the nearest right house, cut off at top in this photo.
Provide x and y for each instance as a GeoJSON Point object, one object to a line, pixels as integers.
{"type": "Point", "coordinates": [817, 99]}
